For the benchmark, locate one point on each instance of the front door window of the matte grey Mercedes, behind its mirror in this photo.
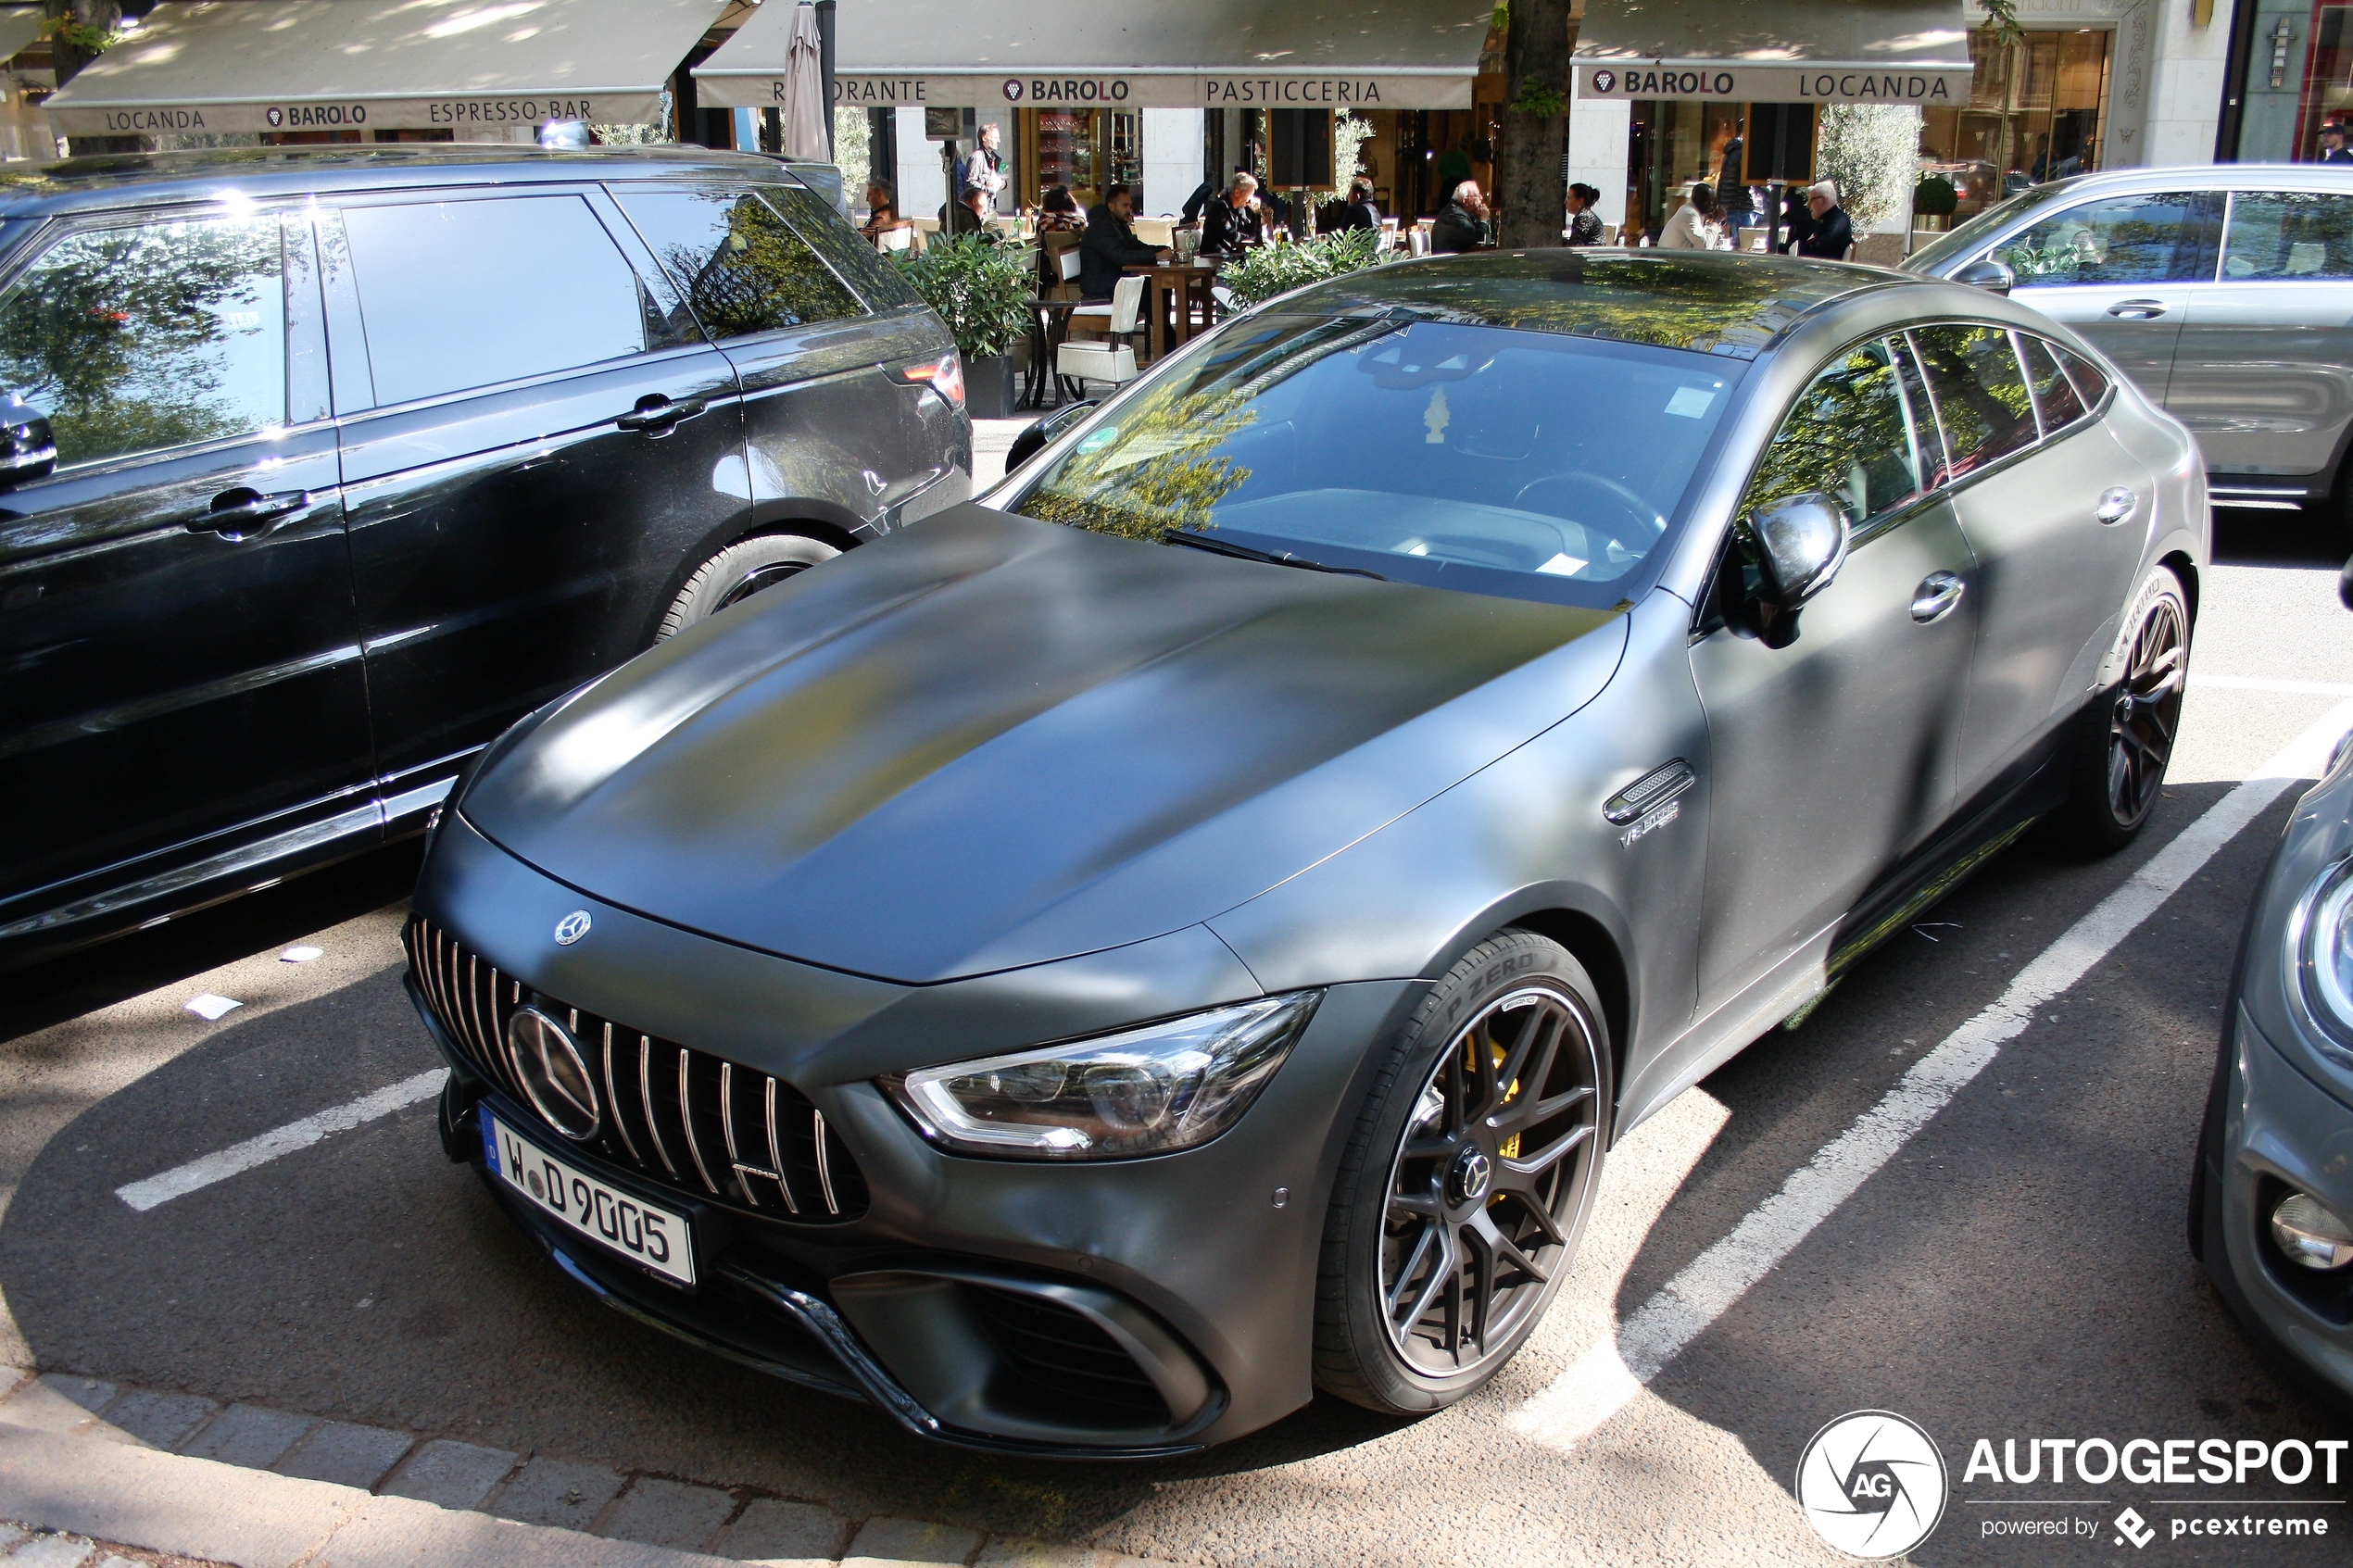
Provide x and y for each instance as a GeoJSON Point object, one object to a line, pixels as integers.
{"type": "Point", "coordinates": [1848, 436]}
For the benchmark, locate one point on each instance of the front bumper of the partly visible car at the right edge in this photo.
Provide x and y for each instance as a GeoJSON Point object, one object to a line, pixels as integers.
{"type": "Point", "coordinates": [2281, 1132]}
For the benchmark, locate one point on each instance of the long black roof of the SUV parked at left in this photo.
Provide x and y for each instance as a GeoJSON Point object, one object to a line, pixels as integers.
{"type": "Point", "coordinates": [131, 180]}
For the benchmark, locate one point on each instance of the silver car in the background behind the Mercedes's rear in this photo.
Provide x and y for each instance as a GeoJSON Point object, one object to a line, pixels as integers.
{"type": "Point", "coordinates": [2225, 293]}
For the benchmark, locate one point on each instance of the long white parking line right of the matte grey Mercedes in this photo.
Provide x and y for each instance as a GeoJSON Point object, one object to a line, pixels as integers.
{"type": "Point", "coordinates": [1599, 1383]}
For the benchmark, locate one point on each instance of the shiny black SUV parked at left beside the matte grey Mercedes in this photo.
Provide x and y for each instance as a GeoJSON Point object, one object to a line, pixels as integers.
{"type": "Point", "coordinates": [326, 464]}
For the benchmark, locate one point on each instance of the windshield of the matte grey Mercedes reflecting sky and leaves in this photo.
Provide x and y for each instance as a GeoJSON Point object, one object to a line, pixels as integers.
{"type": "Point", "coordinates": [1486, 460]}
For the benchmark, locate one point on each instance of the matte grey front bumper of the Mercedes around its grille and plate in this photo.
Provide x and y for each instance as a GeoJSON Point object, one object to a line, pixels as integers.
{"type": "Point", "coordinates": [1011, 1306]}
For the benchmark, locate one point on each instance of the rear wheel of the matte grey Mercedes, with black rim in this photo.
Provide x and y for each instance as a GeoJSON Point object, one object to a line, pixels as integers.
{"type": "Point", "coordinates": [2126, 737]}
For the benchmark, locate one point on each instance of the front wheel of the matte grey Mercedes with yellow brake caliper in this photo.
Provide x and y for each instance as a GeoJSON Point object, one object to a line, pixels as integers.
{"type": "Point", "coordinates": [1446, 1245]}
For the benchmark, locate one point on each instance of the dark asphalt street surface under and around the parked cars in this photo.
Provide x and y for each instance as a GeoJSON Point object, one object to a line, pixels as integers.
{"type": "Point", "coordinates": [2015, 1271]}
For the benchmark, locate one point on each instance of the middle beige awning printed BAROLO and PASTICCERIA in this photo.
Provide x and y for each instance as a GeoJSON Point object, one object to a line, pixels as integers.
{"type": "Point", "coordinates": [1121, 55]}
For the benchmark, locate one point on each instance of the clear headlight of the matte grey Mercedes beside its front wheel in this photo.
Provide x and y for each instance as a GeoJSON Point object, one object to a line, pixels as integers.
{"type": "Point", "coordinates": [1147, 1092]}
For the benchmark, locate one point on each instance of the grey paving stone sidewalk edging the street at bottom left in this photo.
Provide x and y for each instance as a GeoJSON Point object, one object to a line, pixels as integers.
{"type": "Point", "coordinates": [547, 1492]}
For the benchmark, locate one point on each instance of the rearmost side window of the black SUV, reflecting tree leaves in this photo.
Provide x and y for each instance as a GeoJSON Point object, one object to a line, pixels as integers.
{"type": "Point", "coordinates": [740, 267]}
